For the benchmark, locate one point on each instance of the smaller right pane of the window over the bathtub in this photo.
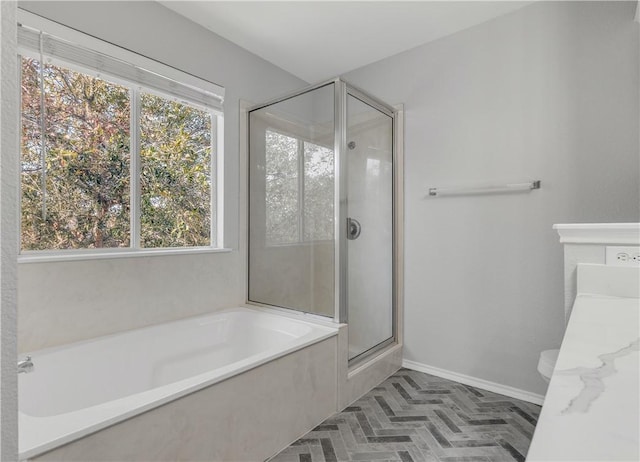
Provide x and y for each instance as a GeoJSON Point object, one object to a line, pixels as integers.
{"type": "Point", "coordinates": [175, 174]}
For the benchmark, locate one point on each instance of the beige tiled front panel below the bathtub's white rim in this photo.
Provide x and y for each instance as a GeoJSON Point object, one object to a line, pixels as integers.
{"type": "Point", "coordinates": [248, 418]}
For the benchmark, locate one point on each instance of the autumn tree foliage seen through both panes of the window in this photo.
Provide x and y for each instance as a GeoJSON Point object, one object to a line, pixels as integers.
{"type": "Point", "coordinates": [78, 195]}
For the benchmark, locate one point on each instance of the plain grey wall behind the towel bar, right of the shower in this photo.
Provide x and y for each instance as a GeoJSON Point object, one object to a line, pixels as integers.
{"type": "Point", "coordinates": [549, 92]}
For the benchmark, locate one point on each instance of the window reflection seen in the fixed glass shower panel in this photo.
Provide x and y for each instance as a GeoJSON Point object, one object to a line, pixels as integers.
{"type": "Point", "coordinates": [299, 190]}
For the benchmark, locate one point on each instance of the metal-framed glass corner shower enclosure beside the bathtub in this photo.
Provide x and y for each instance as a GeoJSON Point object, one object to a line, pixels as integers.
{"type": "Point", "coordinates": [322, 214]}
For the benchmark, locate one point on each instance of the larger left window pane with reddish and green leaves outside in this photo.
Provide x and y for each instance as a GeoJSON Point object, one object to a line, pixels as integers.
{"type": "Point", "coordinates": [75, 194]}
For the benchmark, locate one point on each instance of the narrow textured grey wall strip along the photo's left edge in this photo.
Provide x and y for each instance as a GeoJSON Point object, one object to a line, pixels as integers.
{"type": "Point", "coordinates": [8, 232]}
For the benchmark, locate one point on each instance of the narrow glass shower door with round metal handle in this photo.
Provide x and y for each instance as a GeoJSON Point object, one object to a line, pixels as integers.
{"type": "Point", "coordinates": [369, 165]}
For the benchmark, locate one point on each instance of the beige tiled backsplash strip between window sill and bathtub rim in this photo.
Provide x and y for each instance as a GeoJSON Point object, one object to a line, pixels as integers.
{"type": "Point", "coordinates": [71, 301]}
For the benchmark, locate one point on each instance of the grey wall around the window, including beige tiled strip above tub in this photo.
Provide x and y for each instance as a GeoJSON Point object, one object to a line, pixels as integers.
{"type": "Point", "coordinates": [64, 302]}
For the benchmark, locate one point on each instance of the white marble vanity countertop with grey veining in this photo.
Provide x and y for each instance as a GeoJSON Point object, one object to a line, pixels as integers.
{"type": "Point", "coordinates": [592, 407]}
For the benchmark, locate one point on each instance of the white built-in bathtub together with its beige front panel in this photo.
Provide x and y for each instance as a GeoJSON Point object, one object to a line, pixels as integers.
{"type": "Point", "coordinates": [196, 357]}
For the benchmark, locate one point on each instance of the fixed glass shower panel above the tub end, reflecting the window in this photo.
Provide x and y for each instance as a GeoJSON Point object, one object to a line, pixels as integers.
{"type": "Point", "coordinates": [291, 203]}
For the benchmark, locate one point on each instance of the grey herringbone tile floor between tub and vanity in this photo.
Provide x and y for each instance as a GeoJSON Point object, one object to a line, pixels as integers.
{"type": "Point", "coordinates": [413, 416]}
